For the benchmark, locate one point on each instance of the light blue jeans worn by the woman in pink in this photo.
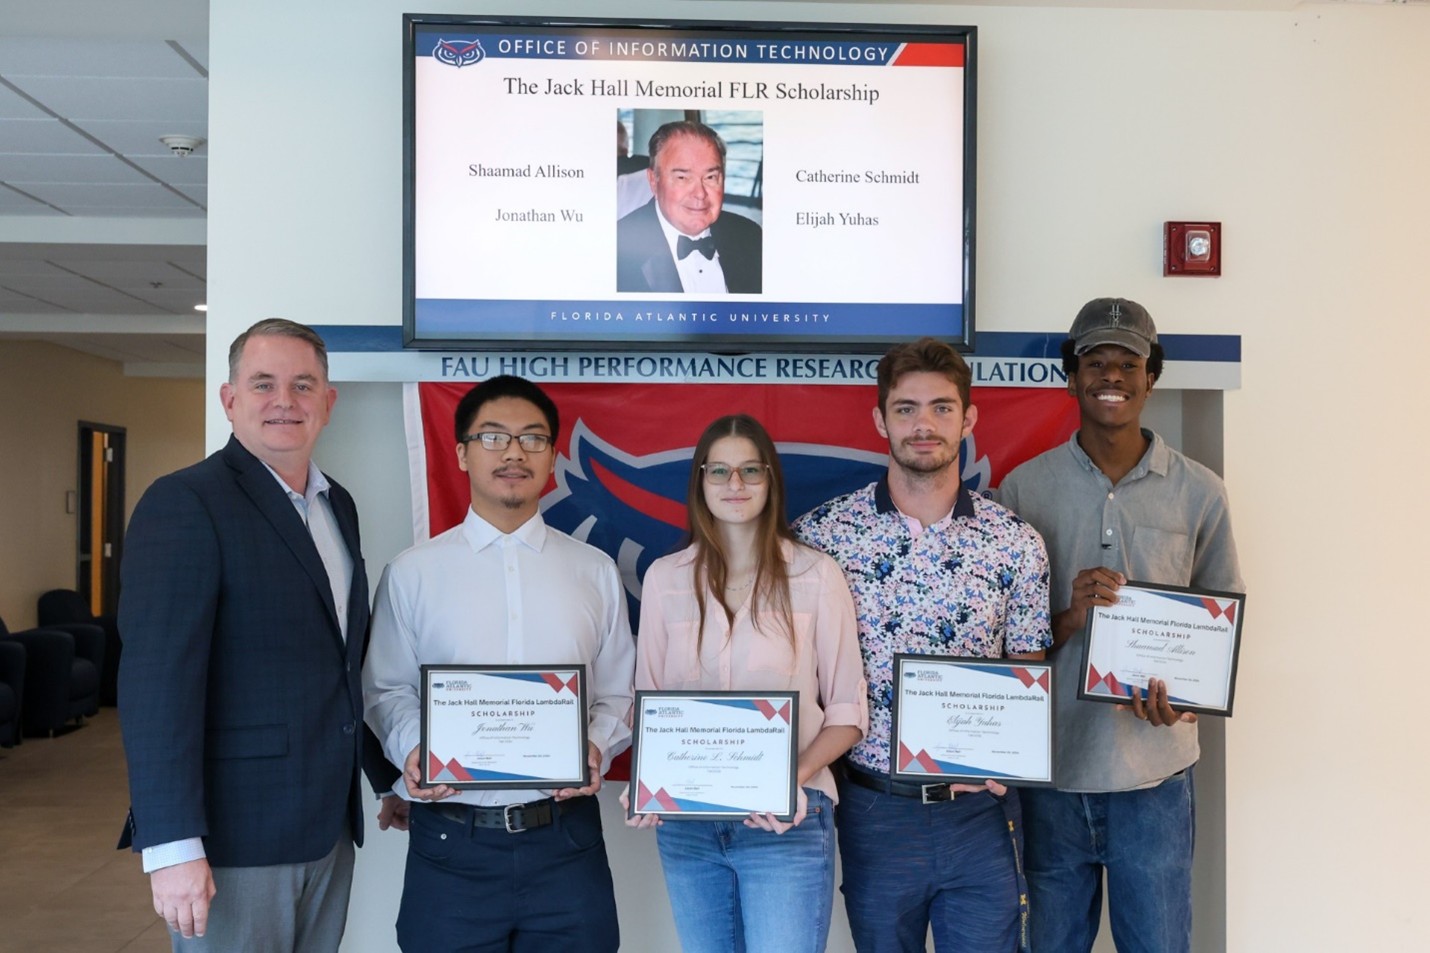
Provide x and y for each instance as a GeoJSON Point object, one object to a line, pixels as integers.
{"type": "Point", "coordinates": [736, 888]}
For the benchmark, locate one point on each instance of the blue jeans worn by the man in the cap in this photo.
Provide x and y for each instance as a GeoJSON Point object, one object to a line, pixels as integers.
{"type": "Point", "coordinates": [1143, 839]}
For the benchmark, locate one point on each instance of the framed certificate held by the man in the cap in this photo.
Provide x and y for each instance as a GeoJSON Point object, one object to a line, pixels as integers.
{"type": "Point", "coordinates": [1186, 637]}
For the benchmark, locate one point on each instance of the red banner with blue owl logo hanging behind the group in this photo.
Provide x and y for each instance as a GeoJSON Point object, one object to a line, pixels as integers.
{"type": "Point", "coordinates": [628, 446]}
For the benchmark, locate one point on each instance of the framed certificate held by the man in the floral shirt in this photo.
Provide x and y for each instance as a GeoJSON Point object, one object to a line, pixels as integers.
{"type": "Point", "coordinates": [972, 720]}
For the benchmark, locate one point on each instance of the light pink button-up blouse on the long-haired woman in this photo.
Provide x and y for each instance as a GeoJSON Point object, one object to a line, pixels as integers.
{"type": "Point", "coordinates": [824, 663]}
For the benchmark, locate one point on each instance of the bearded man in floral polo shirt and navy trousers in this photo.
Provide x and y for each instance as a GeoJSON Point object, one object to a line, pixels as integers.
{"type": "Point", "coordinates": [935, 570]}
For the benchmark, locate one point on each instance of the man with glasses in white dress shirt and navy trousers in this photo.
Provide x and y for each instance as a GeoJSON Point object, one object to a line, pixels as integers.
{"type": "Point", "coordinates": [503, 869]}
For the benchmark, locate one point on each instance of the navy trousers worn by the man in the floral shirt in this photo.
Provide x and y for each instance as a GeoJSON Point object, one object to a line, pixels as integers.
{"type": "Point", "coordinates": [953, 865]}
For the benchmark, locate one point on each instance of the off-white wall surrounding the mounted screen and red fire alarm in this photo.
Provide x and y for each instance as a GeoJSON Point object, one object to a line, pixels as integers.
{"type": "Point", "coordinates": [1303, 132]}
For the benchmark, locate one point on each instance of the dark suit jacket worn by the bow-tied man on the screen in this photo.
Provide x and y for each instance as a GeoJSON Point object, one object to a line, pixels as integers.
{"type": "Point", "coordinates": [644, 261]}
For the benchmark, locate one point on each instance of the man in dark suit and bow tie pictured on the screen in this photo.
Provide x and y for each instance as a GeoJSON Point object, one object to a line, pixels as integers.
{"type": "Point", "coordinates": [681, 241]}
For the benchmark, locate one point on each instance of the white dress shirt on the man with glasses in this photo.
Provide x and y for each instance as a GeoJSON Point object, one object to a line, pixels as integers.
{"type": "Point", "coordinates": [475, 596]}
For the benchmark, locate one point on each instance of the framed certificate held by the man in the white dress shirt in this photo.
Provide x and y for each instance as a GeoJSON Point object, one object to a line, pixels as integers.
{"type": "Point", "coordinates": [504, 726]}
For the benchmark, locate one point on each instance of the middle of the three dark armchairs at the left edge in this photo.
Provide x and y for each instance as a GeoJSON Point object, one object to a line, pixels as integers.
{"type": "Point", "coordinates": [62, 669]}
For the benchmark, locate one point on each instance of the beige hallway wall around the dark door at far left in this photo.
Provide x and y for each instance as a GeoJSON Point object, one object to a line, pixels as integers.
{"type": "Point", "coordinates": [45, 393]}
